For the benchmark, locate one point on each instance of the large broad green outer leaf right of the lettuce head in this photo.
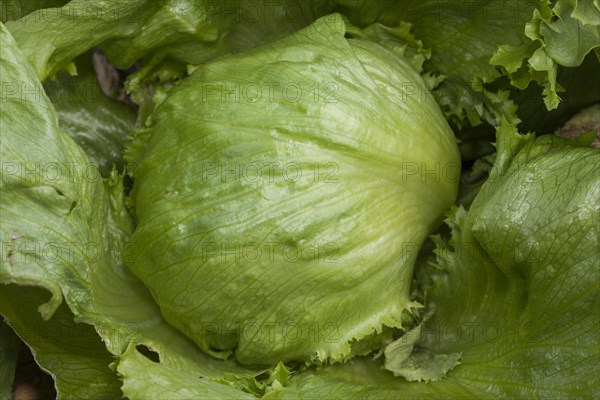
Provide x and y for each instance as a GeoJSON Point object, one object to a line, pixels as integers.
{"type": "Point", "coordinates": [516, 290]}
